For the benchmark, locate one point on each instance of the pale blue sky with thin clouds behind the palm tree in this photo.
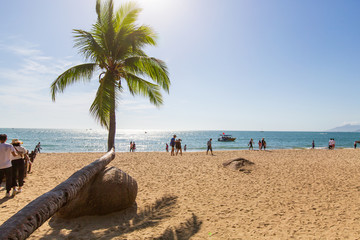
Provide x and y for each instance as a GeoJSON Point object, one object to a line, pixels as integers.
{"type": "Point", "coordinates": [234, 65]}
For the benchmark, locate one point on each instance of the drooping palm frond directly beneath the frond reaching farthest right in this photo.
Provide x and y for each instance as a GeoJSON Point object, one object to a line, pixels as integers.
{"type": "Point", "coordinates": [139, 86]}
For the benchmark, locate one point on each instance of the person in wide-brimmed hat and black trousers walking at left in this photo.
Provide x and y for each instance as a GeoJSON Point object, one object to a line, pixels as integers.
{"type": "Point", "coordinates": [18, 165]}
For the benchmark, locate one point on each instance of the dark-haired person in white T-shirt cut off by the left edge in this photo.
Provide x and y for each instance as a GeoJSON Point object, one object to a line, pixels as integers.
{"type": "Point", "coordinates": [5, 162]}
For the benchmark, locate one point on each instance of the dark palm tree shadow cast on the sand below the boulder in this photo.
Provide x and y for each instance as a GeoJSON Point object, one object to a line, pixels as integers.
{"type": "Point", "coordinates": [122, 222]}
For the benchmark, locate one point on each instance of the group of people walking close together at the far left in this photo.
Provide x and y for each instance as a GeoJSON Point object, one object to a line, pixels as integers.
{"type": "Point", "coordinates": [12, 164]}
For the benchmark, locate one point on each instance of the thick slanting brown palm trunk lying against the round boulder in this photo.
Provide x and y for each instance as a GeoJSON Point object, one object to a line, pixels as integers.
{"type": "Point", "coordinates": [33, 215]}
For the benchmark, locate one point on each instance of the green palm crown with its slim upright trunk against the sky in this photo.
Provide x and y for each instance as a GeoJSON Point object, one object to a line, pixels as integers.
{"type": "Point", "coordinates": [114, 47]}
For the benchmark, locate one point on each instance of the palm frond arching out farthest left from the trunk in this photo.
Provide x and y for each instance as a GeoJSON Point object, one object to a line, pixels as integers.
{"type": "Point", "coordinates": [82, 72]}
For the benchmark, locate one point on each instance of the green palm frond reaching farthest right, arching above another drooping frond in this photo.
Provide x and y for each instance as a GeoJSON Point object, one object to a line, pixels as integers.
{"type": "Point", "coordinates": [151, 67]}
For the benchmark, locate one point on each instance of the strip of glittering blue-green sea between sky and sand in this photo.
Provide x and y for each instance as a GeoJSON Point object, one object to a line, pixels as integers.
{"type": "Point", "coordinates": [88, 140]}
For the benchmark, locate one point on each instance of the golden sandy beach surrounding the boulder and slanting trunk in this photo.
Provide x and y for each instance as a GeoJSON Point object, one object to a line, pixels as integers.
{"type": "Point", "coordinates": [300, 194]}
